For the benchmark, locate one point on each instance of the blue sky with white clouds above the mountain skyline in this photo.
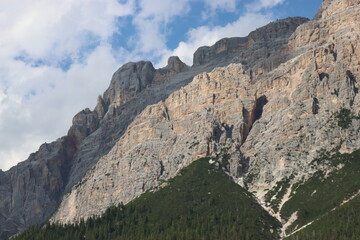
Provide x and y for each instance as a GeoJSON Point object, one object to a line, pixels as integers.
{"type": "Point", "coordinates": [55, 59]}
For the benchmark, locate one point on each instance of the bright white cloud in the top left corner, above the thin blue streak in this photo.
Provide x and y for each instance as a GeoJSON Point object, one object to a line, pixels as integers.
{"type": "Point", "coordinates": [43, 29]}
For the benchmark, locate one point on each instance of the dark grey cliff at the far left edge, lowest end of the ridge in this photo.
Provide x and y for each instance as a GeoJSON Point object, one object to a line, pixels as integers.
{"type": "Point", "coordinates": [31, 191]}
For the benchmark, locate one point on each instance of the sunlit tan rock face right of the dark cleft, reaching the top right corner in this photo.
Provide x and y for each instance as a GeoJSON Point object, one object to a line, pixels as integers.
{"type": "Point", "coordinates": [304, 96]}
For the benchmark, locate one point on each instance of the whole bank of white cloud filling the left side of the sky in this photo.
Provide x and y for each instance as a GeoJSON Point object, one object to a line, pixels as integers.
{"type": "Point", "coordinates": [37, 103]}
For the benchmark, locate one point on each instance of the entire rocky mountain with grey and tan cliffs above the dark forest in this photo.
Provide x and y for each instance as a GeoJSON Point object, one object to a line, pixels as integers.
{"type": "Point", "coordinates": [282, 103]}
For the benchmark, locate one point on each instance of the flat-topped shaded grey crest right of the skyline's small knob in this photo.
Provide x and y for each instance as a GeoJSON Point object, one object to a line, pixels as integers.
{"type": "Point", "coordinates": [260, 52]}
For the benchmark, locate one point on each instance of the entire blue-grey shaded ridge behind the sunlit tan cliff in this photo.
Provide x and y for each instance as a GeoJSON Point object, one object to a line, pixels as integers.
{"type": "Point", "coordinates": [95, 132]}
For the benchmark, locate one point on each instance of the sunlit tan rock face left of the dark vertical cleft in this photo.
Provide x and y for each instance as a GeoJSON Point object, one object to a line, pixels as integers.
{"type": "Point", "coordinates": [164, 138]}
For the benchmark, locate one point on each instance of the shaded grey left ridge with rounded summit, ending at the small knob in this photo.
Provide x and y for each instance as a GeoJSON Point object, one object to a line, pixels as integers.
{"type": "Point", "coordinates": [93, 134]}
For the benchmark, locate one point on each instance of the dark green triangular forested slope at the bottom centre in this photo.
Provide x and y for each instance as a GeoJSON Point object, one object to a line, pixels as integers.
{"type": "Point", "coordinates": [201, 203]}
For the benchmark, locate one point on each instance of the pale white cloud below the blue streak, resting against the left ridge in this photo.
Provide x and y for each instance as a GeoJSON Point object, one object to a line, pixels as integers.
{"type": "Point", "coordinates": [26, 122]}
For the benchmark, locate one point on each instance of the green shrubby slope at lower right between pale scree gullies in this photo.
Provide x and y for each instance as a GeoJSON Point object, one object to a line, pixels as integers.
{"type": "Point", "coordinates": [321, 193]}
